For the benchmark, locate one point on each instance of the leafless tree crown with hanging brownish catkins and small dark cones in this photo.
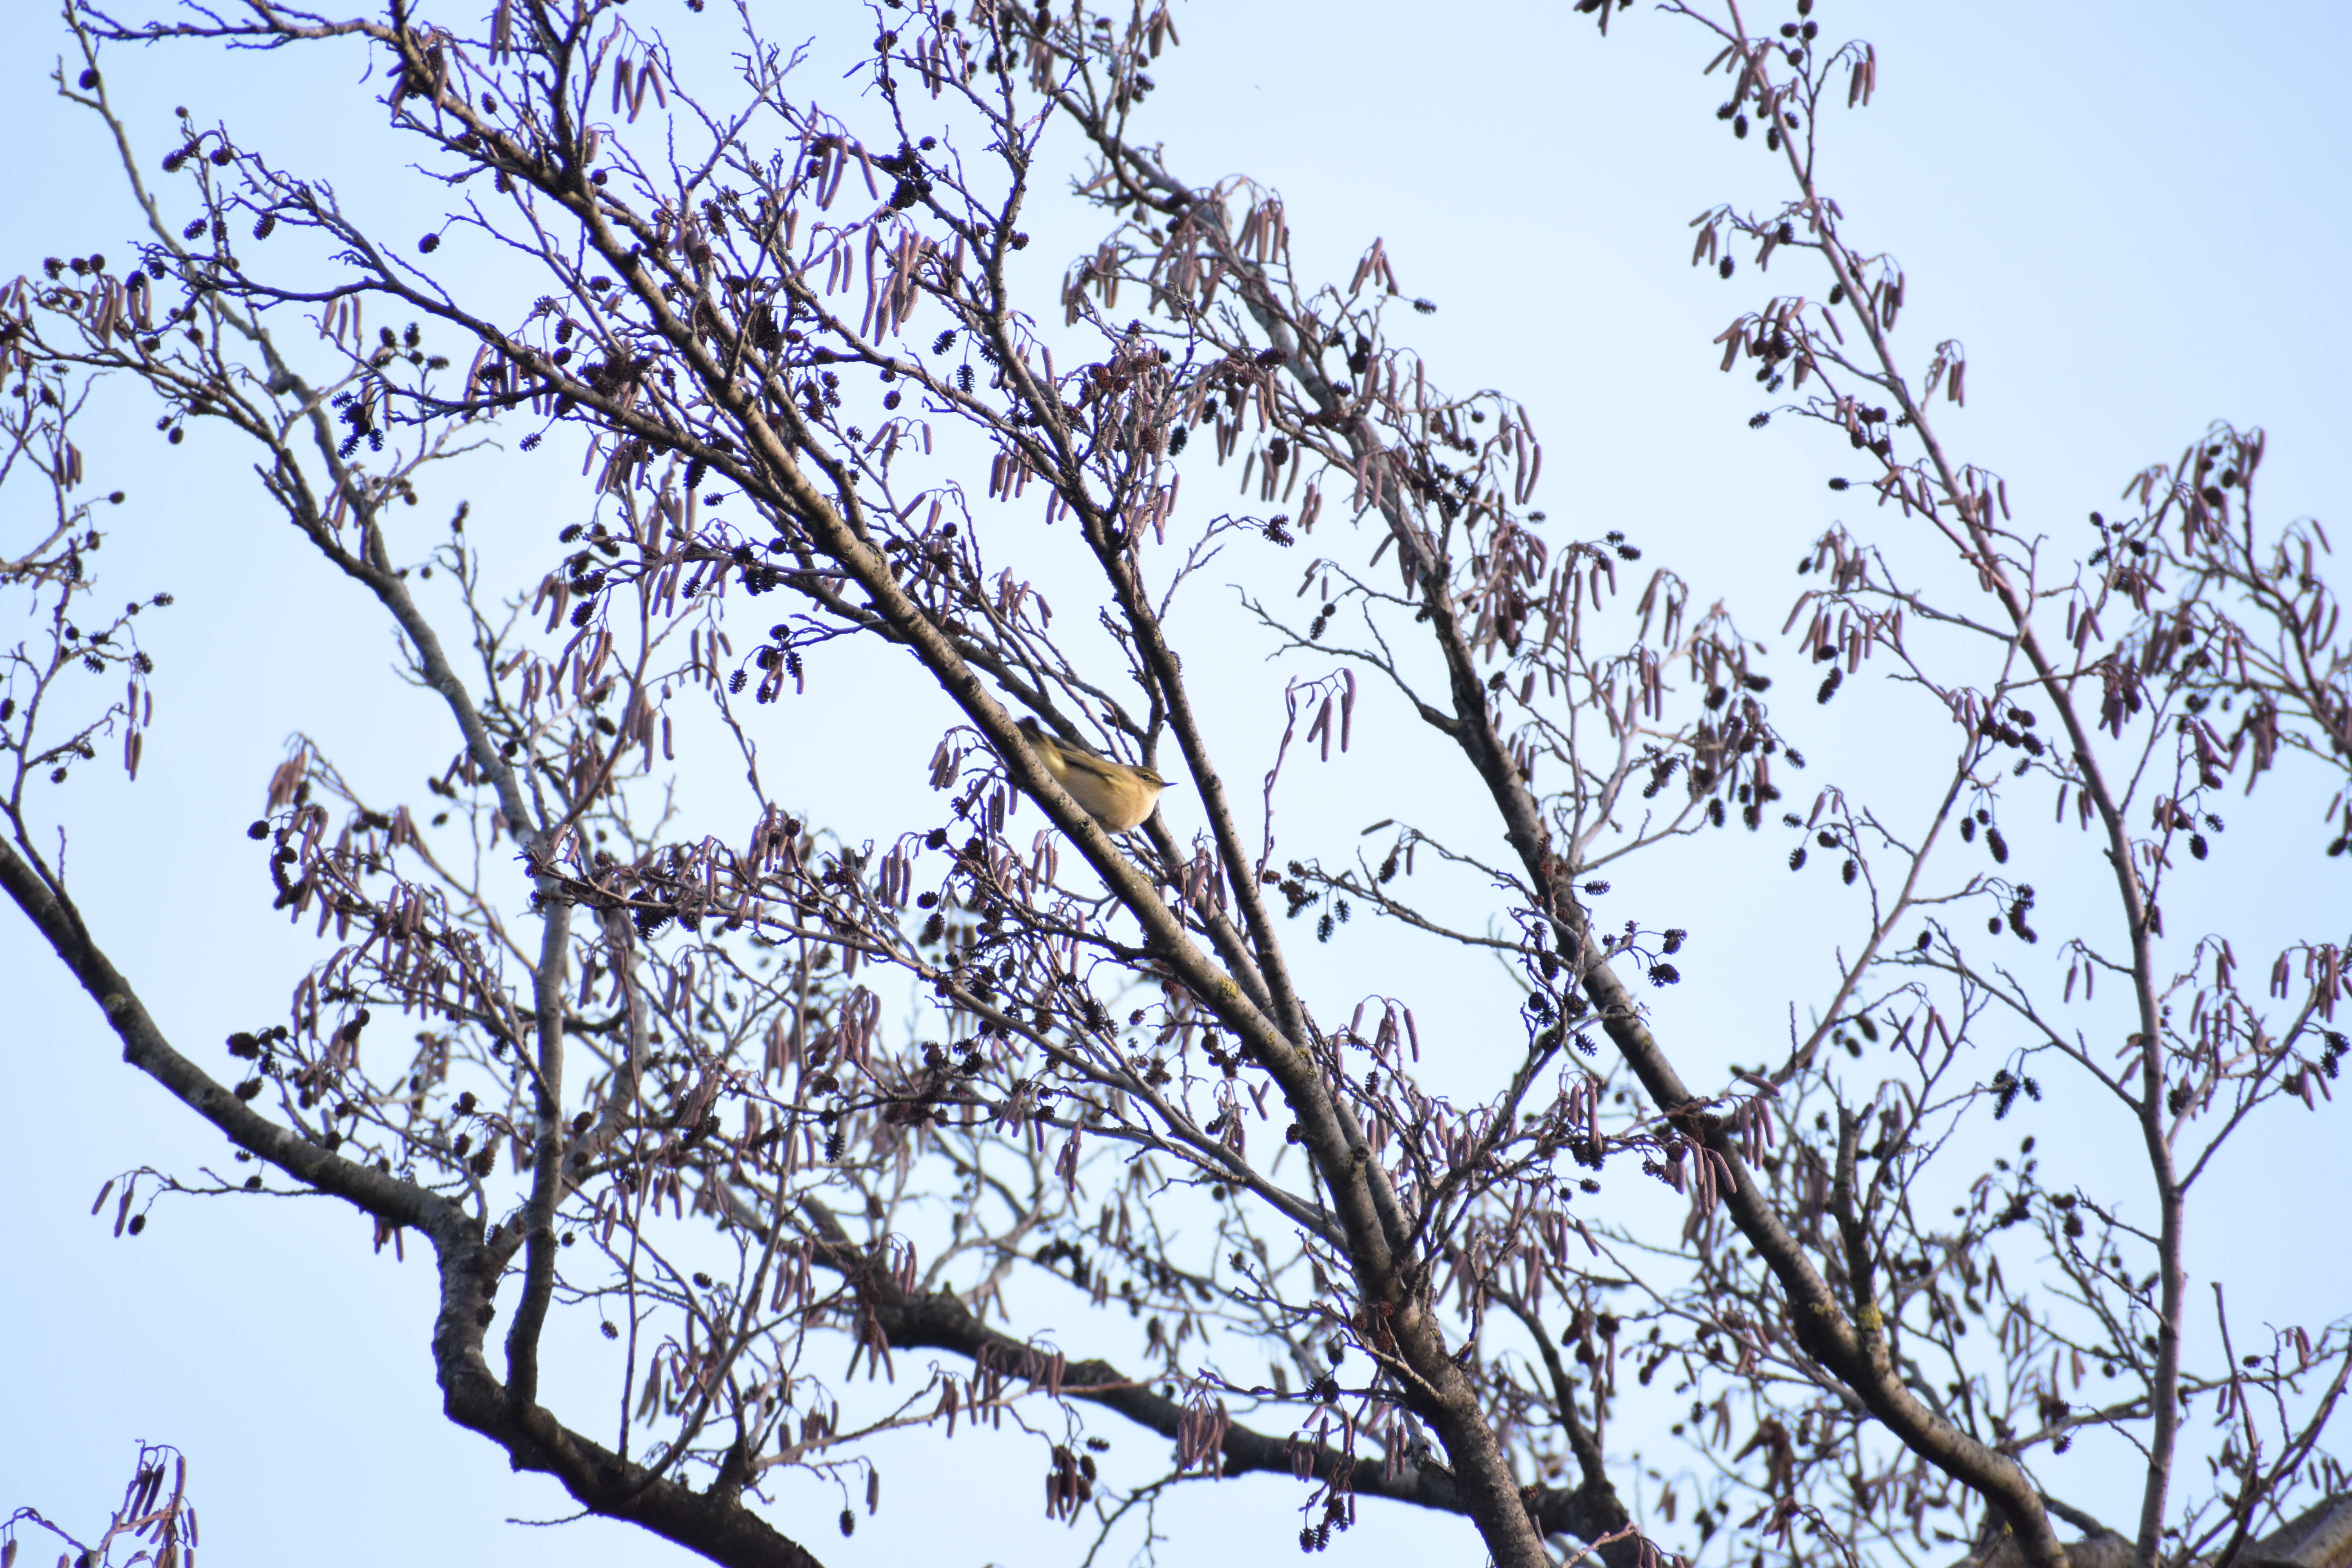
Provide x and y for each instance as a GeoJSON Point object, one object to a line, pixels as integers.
{"type": "Point", "coordinates": [646, 1071]}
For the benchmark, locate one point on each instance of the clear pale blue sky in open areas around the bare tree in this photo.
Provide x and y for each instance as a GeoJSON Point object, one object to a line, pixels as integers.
{"type": "Point", "coordinates": [2134, 215]}
